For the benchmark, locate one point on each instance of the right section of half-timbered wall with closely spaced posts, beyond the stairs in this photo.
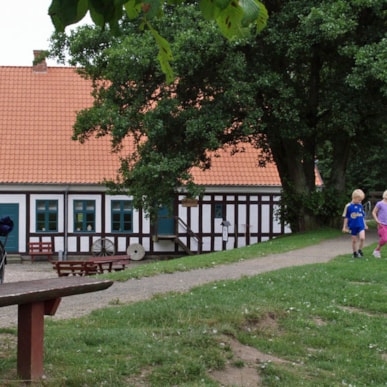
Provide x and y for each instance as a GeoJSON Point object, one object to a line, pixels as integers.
{"type": "Point", "coordinates": [246, 219]}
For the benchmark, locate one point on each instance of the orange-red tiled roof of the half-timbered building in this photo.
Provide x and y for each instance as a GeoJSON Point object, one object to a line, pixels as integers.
{"type": "Point", "coordinates": [37, 111]}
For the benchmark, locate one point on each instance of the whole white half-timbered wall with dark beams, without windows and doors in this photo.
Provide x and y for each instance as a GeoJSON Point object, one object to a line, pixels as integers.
{"type": "Point", "coordinates": [220, 221]}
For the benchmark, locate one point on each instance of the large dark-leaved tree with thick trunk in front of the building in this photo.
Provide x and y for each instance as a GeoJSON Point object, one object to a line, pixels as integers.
{"type": "Point", "coordinates": [311, 86]}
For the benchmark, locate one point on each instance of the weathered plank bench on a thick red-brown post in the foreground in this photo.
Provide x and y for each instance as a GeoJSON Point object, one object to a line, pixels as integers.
{"type": "Point", "coordinates": [35, 299]}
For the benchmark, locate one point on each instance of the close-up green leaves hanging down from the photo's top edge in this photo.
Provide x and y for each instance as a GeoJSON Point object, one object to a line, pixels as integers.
{"type": "Point", "coordinates": [235, 18]}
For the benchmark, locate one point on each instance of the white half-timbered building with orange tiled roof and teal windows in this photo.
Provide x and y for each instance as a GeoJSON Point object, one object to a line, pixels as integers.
{"type": "Point", "coordinates": [51, 186]}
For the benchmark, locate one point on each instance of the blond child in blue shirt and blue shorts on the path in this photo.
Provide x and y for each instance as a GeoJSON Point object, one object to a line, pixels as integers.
{"type": "Point", "coordinates": [354, 222]}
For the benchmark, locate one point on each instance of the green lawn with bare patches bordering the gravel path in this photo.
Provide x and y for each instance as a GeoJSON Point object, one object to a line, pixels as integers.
{"type": "Point", "coordinates": [325, 321]}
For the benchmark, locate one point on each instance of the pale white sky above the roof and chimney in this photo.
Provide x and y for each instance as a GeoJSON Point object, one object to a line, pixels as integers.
{"type": "Point", "coordinates": [24, 26]}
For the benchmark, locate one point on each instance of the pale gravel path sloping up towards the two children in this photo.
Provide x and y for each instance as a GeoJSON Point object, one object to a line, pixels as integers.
{"type": "Point", "coordinates": [140, 289]}
